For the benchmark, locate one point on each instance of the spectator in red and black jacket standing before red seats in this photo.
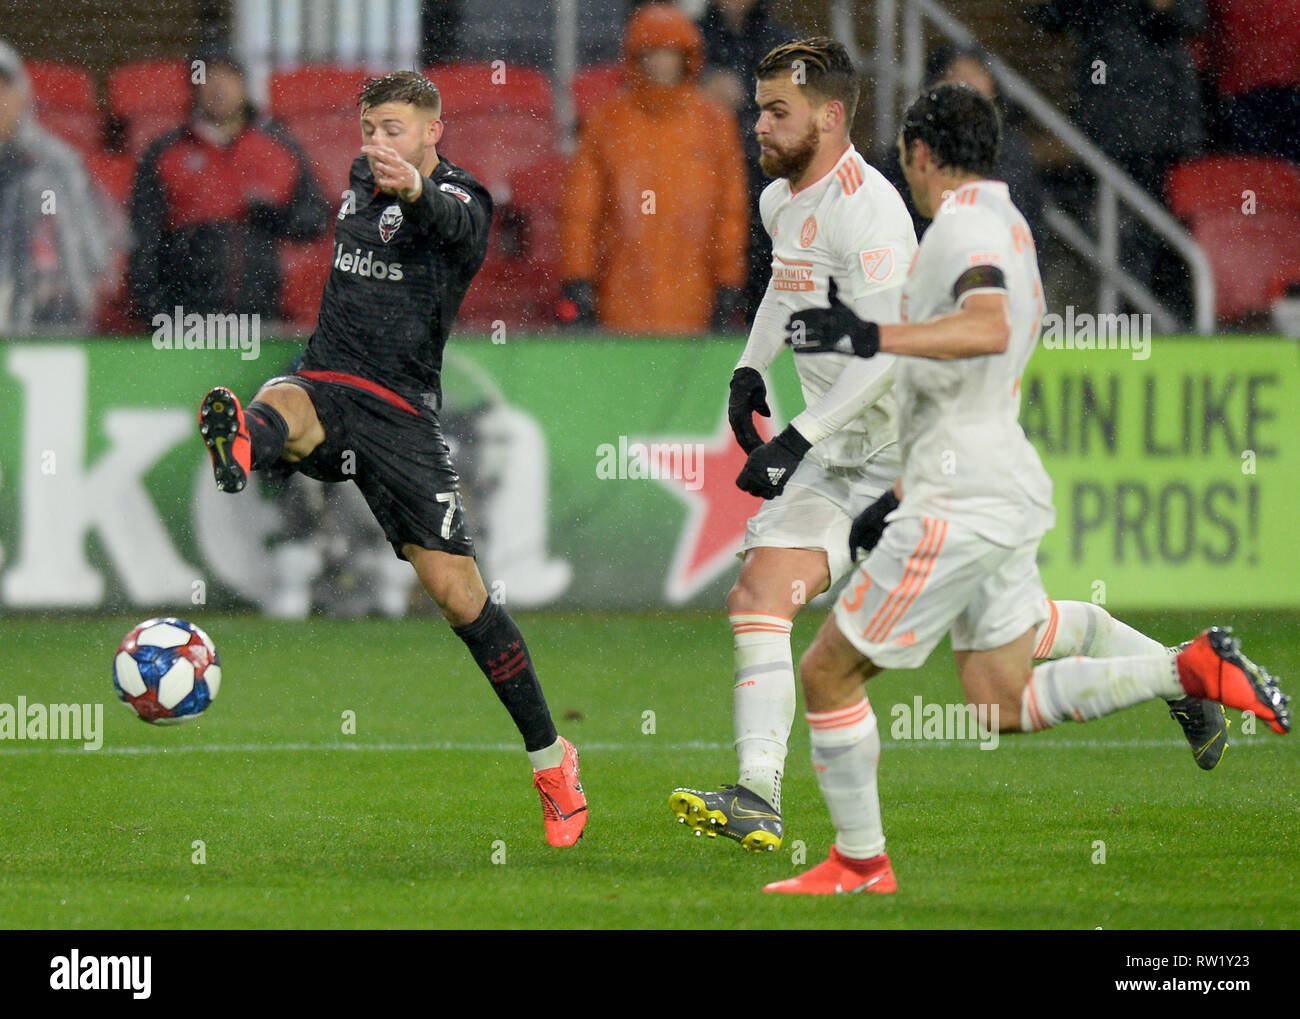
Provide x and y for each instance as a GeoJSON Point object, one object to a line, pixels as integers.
{"type": "Point", "coordinates": [211, 201]}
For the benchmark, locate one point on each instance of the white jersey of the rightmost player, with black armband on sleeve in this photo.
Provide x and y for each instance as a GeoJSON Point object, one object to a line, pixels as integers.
{"type": "Point", "coordinates": [965, 456]}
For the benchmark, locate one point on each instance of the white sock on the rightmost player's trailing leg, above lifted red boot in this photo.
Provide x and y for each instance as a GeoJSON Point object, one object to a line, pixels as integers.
{"type": "Point", "coordinates": [1089, 688]}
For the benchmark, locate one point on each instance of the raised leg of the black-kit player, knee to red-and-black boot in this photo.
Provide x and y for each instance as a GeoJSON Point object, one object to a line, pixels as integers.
{"type": "Point", "coordinates": [280, 423]}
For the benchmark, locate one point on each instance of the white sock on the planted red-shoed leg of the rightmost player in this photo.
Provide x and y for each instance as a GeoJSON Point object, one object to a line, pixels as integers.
{"type": "Point", "coordinates": [846, 751]}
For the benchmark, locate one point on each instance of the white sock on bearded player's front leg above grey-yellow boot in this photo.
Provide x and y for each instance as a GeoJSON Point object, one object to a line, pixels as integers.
{"type": "Point", "coordinates": [762, 701]}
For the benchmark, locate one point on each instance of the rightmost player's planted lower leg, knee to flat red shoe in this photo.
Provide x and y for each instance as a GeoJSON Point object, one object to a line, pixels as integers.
{"type": "Point", "coordinates": [846, 752]}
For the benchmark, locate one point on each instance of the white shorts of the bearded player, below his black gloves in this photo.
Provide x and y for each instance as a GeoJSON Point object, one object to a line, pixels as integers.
{"type": "Point", "coordinates": [817, 510]}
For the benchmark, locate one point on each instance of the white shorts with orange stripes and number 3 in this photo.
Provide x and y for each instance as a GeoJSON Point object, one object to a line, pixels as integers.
{"type": "Point", "coordinates": [929, 578]}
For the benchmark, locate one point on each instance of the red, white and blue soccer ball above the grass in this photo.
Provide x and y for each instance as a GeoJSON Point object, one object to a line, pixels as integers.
{"type": "Point", "coordinates": [167, 671]}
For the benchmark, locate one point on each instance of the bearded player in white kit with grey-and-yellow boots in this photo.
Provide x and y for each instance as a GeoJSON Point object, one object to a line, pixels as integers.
{"type": "Point", "coordinates": [830, 216]}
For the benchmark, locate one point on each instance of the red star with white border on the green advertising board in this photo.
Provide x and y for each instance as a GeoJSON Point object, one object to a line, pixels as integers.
{"type": "Point", "coordinates": [717, 511]}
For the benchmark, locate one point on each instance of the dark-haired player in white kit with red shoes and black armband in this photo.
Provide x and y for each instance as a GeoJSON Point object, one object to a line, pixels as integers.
{"type": "Point", "coordinates": [960, 553]}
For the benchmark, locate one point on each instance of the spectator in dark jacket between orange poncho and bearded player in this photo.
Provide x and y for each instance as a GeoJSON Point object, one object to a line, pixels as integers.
{"type": "Point", "coordinates": [738, 36]}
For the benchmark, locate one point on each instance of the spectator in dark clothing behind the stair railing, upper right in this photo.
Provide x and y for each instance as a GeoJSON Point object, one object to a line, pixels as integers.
{"type": "Point", "coordinates": [1137, 94]}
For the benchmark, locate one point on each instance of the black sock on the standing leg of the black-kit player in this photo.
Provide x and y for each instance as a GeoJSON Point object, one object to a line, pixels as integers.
{"type": "Point", "coordinates": [502, 654]}
